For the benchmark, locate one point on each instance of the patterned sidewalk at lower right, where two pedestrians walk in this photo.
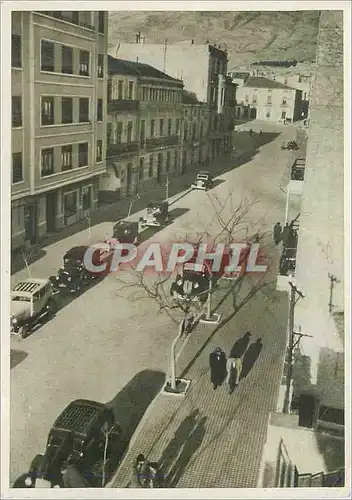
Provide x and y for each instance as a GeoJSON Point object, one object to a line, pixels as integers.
{"type": "Point", "coordinates": [210, 439]}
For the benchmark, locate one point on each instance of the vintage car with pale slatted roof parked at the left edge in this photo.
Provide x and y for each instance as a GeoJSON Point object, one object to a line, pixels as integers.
{"type": "Point", "coordinates": [31, 301]}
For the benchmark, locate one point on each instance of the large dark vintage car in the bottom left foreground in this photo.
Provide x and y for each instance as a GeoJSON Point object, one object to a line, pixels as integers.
{"type": "Point", "coordinates": [81, 435]}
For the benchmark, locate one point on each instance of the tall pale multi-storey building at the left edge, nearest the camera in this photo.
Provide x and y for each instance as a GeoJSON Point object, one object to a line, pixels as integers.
{"type": "Point", "coordinates": [59, 86]}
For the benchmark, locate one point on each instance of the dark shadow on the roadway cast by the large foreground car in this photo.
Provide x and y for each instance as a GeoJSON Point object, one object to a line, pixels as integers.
{"type": "Point", "coordinates": [130, 404]}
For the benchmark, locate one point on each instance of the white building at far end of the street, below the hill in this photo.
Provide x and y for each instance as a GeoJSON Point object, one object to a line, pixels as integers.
{"type": "Point", "coordinates": [269, 100]}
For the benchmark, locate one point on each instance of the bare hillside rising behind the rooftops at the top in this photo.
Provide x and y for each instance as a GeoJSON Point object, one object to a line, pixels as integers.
{"type": "Point", "coordinates": [249, 36]}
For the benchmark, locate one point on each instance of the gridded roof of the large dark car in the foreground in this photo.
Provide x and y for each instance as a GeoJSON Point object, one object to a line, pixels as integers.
{"type": "Point", "coordinates": [79, 415]}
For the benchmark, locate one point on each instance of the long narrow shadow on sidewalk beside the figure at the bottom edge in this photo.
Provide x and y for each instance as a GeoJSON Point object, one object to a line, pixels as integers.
{"type": "Point", "coordinates": [190, 446]}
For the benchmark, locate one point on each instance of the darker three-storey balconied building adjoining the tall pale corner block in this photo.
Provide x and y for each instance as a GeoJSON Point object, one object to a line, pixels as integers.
{"type": "Point", "coordinates": [143, 128]}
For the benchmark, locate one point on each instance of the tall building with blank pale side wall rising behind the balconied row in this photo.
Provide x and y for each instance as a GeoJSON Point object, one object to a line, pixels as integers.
{"type": "Point", "coordinates": [209, 82]}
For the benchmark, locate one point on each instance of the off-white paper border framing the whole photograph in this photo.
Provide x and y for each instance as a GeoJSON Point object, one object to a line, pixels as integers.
{"type": "Point", "coordinates": [6, 8]}
